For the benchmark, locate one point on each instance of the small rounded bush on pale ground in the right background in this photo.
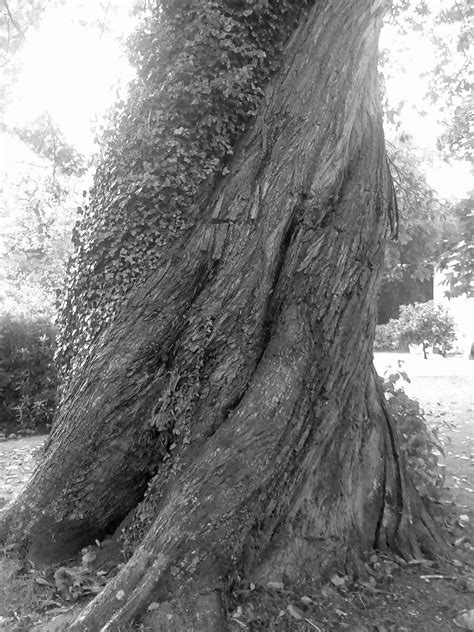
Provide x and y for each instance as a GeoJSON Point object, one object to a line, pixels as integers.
{"type": "Point", "coordinates": [427, 324]}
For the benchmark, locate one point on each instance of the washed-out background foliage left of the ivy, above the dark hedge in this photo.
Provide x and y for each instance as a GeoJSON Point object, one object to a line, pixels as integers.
{"type": "Point", "coordinates": [37, 211]}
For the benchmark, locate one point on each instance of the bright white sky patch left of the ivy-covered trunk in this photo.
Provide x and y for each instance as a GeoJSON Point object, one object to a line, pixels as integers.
{"type": "Point", "coordinates": [70, 71]}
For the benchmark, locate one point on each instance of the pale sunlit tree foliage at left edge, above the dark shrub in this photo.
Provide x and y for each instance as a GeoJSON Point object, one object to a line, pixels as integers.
{"type": "Point", "coordinates": [39, 202]}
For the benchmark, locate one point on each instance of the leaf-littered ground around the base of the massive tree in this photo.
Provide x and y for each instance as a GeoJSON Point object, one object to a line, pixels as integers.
{"type": "Point", "coordinates": [395, 596]}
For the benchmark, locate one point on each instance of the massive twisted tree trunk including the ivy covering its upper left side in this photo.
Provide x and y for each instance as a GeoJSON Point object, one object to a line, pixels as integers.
{"type": "Point", "coordinates": [218, 325]}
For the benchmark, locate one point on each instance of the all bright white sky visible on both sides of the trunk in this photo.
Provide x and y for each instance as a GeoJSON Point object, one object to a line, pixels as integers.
{"type": "Point", "coordinates": [73, 73]}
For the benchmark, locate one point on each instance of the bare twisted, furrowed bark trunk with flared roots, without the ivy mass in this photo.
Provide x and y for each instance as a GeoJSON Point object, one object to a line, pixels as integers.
{"type": "Point", "coordinates": [233, 393]}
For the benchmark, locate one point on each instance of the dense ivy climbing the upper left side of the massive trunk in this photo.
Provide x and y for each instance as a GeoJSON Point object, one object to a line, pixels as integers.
{"type": "Point", "coordinates": [202, 68]}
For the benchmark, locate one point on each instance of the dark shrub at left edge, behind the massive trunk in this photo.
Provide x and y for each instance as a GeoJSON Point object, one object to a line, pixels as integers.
{"type": "Point", "coordinates": [28, 380]}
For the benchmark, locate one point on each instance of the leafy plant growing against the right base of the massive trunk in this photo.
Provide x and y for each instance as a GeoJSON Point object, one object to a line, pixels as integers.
{"type": "Point", "coordinates": [420, 445]}
